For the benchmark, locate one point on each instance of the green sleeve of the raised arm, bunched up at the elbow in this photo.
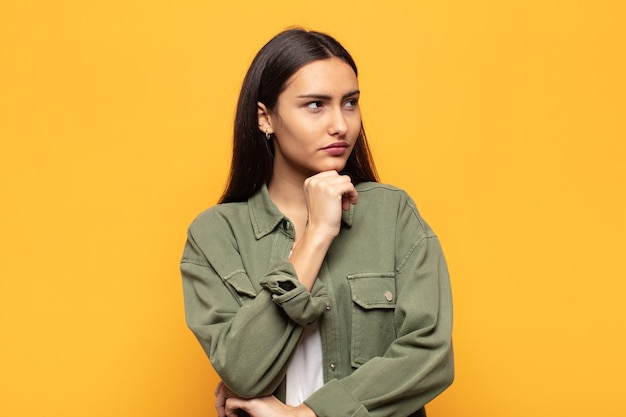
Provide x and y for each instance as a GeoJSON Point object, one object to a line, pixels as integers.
{"type": "Point", "coordinates": [248, 333]}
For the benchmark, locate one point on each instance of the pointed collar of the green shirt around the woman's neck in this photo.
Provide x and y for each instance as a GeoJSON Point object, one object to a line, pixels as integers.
{"type": "Point", "coordinates": [265, 216]}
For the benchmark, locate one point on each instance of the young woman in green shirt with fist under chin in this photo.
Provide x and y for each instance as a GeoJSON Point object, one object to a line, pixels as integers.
{"type": "Point", "coordinates": [314, 289]}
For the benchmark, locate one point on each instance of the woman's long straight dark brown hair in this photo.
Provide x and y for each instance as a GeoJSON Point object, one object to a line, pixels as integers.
{"type": "Point", "coordinates": [276, 62]}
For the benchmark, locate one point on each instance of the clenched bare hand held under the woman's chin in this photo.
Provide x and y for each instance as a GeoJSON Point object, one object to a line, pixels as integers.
{"type": "Point", "coordinates": [327, 194]}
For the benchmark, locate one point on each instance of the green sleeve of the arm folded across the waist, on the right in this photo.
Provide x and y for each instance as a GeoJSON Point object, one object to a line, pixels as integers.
{"type": "Point", "coordinates": [418, 365]}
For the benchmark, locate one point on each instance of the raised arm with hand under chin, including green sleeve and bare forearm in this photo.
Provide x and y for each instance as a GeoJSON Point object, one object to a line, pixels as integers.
{"type": "Point", "coordinates": [249, 333]}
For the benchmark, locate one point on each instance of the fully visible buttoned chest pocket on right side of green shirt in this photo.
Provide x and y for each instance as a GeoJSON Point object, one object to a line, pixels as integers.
{"type": "Point", "coordinates": [373, 304]}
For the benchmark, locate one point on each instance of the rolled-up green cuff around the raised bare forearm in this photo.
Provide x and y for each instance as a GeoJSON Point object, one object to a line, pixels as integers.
{"type": "Point", "coordinates": [293, 297]}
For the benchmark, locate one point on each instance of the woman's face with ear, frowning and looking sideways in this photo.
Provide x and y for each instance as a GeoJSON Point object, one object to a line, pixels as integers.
{"type": "Point", "coordinates": [316, 121]}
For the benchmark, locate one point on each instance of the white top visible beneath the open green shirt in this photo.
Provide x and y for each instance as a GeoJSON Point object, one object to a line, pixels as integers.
{"type": "Point", "coordinates": [304, 374]}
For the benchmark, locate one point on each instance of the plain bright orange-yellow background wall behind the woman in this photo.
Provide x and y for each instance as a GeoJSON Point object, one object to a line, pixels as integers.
{"type": "Point", "coordinates": [503, 119]}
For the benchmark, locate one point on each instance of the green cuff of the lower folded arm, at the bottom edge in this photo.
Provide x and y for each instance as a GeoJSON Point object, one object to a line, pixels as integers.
{"type": "Point", "coordinates": [334, 400]}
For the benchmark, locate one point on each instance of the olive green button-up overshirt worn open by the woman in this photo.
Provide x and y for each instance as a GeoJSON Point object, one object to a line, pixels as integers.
{"type": "Point", "coordinates": [382, 297]}
